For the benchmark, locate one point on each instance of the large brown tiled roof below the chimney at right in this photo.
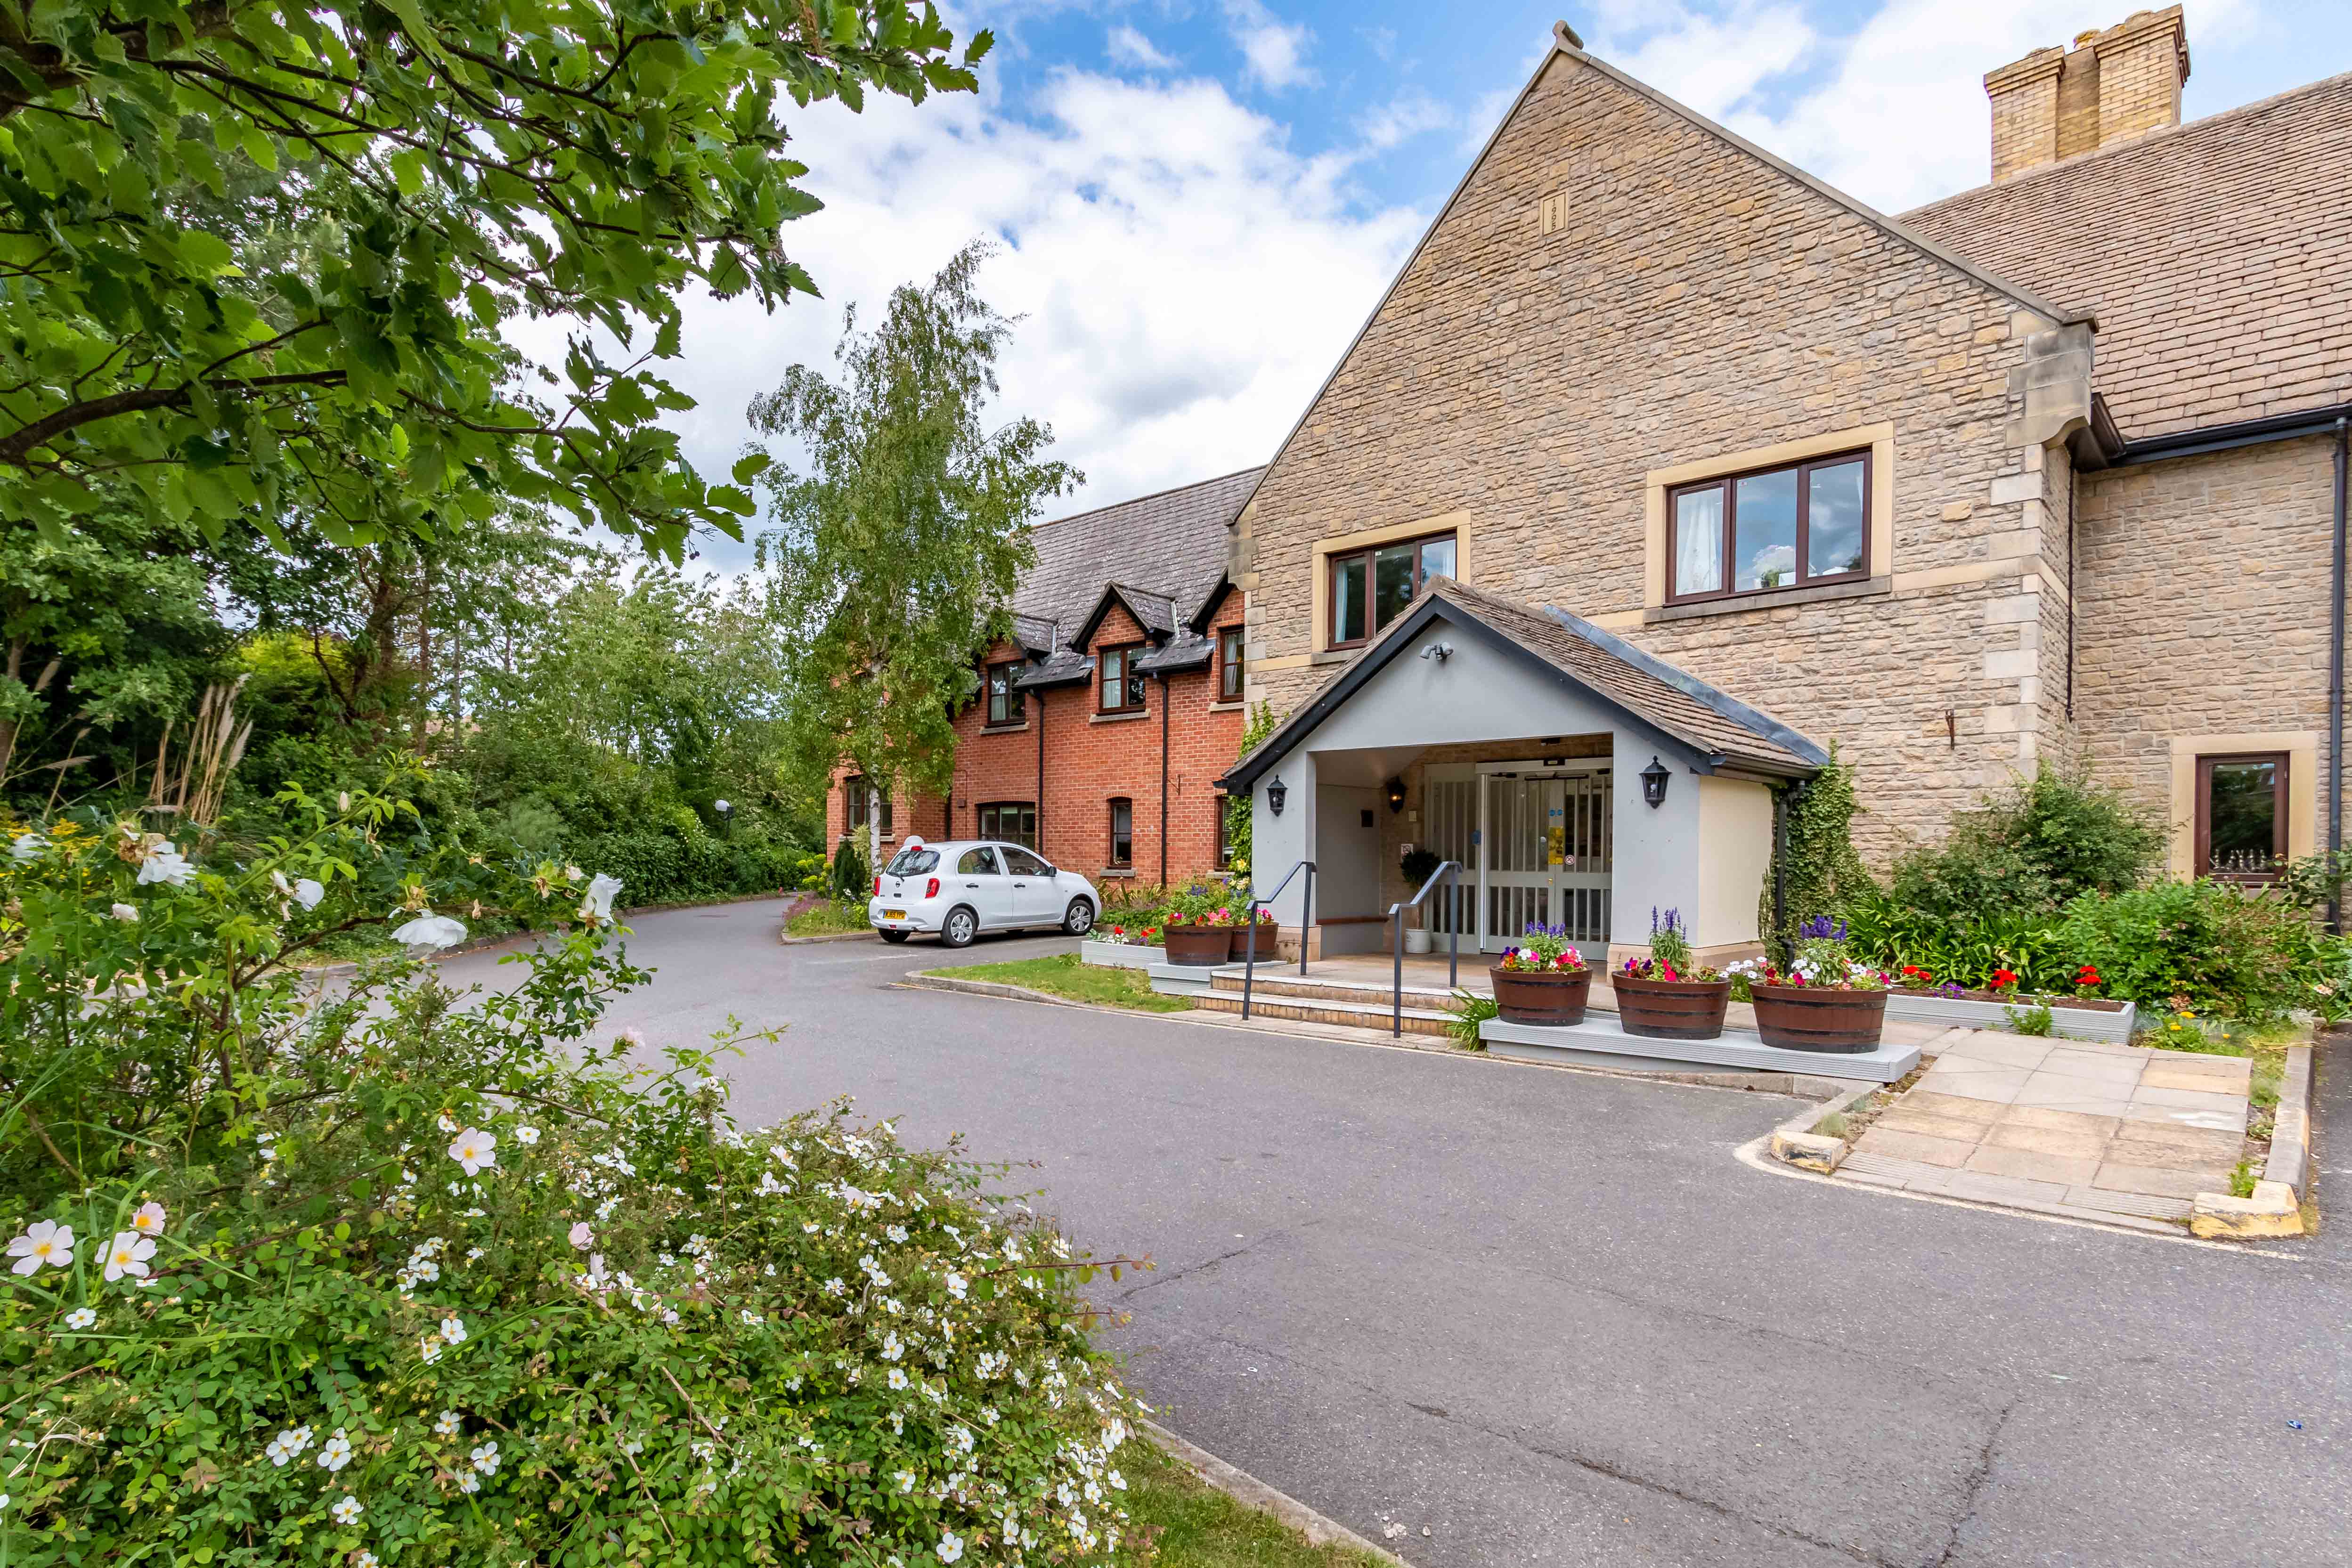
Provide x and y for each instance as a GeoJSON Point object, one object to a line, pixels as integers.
{"type": "Point", "coordinates": [2217, 257]}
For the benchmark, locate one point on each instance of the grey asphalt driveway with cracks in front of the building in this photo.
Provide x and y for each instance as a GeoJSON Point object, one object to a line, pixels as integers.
{"type": "Point", "coordinates": [1551, 1318]}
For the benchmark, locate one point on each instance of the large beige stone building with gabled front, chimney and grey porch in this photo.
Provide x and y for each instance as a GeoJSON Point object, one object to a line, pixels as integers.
{"type": "Point", "coordinates": [1664, 467]}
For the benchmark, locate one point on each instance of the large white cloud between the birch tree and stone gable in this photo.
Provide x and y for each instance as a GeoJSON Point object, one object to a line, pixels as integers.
{"type": "Point", "coordinates": [1187, 279]}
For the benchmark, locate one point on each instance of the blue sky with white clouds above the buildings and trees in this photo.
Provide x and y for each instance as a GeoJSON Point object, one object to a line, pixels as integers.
{"type": "Point", "coordinates": [1196, 203]}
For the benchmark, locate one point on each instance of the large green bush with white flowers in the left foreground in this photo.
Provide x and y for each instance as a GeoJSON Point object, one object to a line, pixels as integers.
{"type": "Point", "coordinates": [375, 1273]}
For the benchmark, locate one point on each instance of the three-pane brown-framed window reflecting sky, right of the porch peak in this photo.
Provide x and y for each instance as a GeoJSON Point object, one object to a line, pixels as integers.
{"type": "Point", "coordinates": [1777, 528]}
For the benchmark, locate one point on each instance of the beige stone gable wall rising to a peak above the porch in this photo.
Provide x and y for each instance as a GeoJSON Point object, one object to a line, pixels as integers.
{"type": "Point", "coordinates": [1699, 304]}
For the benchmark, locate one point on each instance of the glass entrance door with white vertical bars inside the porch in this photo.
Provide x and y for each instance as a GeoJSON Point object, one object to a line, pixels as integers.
{"type": "Point", "coordinates": [1544, 857]}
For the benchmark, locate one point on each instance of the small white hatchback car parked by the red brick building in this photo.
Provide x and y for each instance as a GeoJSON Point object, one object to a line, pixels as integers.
{"type": "Point", "coordinates": [965, 887]}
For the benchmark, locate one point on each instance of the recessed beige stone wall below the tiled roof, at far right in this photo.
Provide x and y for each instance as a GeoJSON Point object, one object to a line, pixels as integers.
{"type": "Point", "coordinates": [2205, 605]}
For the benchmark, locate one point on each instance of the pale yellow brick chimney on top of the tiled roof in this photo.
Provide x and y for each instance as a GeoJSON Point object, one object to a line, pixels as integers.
{"type": "Point", "coordinates": [2102, 91]}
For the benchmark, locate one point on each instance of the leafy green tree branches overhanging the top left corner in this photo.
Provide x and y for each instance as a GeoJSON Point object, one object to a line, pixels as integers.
{"type": "Point", "coordinates": [460, 163]}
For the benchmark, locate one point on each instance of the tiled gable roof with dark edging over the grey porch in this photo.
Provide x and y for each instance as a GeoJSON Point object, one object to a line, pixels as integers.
{"type": "Point", "coordinates": [1713, 723]}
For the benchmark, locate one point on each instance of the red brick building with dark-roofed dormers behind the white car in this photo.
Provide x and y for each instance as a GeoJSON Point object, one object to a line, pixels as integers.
{"type": "Point", "coordinates": [1104, 723]}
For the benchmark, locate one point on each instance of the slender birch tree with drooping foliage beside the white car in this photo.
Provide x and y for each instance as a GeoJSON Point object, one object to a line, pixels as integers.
{"type": "Point", "coordinates": [902, 544]}
